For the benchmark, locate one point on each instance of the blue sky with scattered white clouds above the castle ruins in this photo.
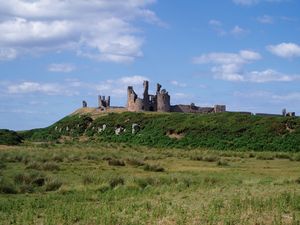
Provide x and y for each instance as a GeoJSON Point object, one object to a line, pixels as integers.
{"type": "Point", "coordinates": [55, 53]}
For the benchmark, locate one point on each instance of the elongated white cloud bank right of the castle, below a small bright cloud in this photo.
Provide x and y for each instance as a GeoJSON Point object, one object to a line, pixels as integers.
{"type": "Point", "coordinates": [230, 67]}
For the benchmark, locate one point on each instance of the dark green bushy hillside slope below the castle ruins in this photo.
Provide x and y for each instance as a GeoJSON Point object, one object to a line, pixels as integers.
{"type": "Point", "coordinates": [224, 131]}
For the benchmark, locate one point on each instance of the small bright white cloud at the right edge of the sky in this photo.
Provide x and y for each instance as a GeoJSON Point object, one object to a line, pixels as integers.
{"type": "Point", "coordinates": [285, 50]}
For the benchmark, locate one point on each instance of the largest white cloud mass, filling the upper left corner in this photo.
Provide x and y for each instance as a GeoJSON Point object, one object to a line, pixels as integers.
{"type": "Point", "coordinates": [97, 29]}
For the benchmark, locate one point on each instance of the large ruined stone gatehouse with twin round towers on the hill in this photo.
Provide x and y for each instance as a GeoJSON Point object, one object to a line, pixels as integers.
{"type": "Point", "coordinates": [159, 102]}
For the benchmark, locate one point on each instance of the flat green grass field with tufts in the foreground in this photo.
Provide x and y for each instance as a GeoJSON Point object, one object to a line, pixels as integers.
{"type": "Point", "coordinates": [119, 184]}
